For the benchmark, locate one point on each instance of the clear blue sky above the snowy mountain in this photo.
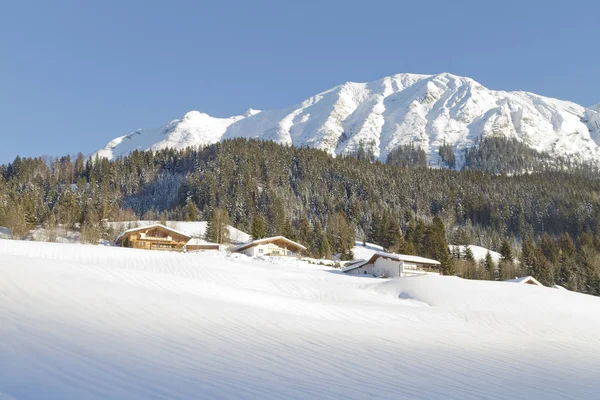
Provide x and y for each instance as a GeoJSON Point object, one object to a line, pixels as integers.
{"type": "Point", "coordinates": [76, 74]}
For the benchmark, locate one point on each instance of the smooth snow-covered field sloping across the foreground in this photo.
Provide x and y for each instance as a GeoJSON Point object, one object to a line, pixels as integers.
{"type": "Point", "coordinates": [93, 322]}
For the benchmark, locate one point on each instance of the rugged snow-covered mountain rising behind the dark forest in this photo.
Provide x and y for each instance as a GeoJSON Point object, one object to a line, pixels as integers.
{"type": "Point", "coordinates": [426, 110]}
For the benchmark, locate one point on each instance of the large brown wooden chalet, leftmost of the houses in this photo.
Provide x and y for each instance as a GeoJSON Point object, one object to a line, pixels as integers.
{"type": "Point", "coordinates": [154, 237]}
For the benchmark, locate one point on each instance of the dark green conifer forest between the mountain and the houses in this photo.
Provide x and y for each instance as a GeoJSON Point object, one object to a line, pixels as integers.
{"type": "Point", "coordinates": [325, 203]}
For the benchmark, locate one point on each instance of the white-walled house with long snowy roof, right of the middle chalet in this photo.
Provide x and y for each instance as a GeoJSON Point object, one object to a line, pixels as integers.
{"type": "Point", "coordinates": [389, 265]}
